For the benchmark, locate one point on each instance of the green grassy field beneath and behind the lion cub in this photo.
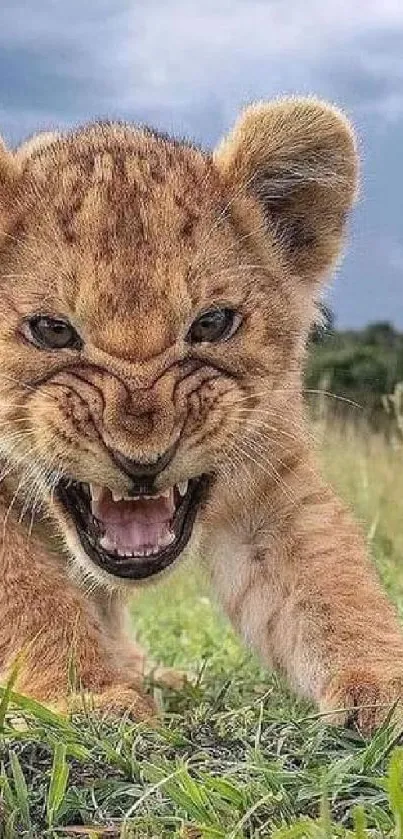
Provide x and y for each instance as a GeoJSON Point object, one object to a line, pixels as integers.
{"type": "Point", "coordinates": [235, 754]}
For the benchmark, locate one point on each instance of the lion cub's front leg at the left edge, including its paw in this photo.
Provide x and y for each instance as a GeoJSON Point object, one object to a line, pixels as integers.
{"type": "Point", "coordinates": [68, 644]}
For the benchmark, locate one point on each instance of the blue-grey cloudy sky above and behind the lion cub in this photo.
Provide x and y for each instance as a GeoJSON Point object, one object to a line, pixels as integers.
{"type": "Point", "coordinates": [187, 67]}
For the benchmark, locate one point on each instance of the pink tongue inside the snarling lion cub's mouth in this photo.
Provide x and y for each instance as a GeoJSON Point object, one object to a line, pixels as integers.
{"type": "Point", "coordinates": [139, 526]}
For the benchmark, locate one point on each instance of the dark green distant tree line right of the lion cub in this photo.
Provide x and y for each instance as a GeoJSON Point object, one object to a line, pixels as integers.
{"type": "Point", "coordinates": [360, 365]}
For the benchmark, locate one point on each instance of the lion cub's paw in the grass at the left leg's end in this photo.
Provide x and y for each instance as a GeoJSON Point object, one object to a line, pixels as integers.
{"type": "Point", "coordinates": [116, 701]}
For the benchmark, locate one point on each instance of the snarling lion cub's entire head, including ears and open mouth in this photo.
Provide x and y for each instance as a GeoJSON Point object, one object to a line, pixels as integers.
{"type": "Point", "coordinates": [152, 296]}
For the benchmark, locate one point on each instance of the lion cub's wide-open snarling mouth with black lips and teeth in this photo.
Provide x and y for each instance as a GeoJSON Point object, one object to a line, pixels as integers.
{"type": "Point", "coordinates": [134, 537]}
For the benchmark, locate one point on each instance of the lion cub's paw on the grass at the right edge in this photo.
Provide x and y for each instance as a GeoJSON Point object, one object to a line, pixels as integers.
{"type": "Point", "coordinates": [363, 699]}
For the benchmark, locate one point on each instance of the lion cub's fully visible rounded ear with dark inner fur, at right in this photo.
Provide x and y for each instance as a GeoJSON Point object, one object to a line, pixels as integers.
{"type": "Point", "coordinates": [298, 159]}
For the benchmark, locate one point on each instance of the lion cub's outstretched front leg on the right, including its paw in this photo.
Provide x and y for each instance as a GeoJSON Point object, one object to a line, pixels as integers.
{"type": "Point", "coordinates": [306, 597]}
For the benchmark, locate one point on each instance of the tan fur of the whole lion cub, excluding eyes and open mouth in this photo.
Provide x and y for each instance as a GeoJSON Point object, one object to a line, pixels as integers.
{"type": "Point", "coordinates": [131, 235]}
